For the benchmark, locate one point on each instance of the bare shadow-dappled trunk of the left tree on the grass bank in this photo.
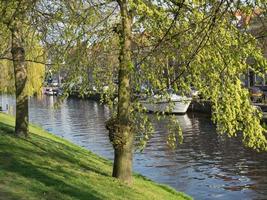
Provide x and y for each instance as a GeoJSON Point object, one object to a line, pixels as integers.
{"type": "Point", "coordinates": [20, 72]}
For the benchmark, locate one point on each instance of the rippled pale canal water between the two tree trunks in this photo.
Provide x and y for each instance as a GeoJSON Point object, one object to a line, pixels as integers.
{"type": "Point", "coordinates": [81, 121]}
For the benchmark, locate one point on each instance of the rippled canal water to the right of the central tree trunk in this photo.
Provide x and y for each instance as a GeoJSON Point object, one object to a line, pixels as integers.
{"type": "Point", "coordinates": [206, 165]}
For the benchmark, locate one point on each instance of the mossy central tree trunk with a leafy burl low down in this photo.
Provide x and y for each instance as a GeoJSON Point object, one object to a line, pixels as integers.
{"type": "Point", "coordinates": [122, 167]}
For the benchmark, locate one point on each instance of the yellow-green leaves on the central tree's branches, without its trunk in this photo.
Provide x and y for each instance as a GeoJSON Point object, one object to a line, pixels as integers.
{"type": "Point", "coordinates": [177, 44]}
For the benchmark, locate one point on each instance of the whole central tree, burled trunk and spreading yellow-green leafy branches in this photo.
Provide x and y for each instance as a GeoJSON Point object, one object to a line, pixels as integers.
{"type": "Point", "coordinates": [199, 39]}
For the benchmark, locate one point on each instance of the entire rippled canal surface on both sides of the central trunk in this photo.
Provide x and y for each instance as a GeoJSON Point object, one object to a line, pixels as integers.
{"type": "Point", "coordinates": [206, 166]}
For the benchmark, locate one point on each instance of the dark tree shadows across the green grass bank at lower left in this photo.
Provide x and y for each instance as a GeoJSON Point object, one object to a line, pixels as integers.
{"type": "Point", "coordinates": [13, 155]}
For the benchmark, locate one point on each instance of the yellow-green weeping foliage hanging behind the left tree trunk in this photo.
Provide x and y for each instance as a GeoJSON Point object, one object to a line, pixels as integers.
{"type": "Point", "coordinates": [13, 12]}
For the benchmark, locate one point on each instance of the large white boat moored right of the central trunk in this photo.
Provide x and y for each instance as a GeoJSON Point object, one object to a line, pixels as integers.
{"type": "Point", "coordinates": [174, 104]}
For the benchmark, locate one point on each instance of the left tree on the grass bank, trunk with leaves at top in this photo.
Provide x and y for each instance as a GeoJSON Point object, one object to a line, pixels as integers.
{"type": "Point", "coordinates": [15, 18]}
